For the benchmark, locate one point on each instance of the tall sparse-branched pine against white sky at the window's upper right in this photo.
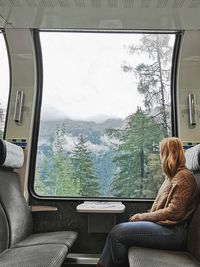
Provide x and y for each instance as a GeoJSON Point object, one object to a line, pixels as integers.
{"type": "Point", "coordinates": [154, 76]}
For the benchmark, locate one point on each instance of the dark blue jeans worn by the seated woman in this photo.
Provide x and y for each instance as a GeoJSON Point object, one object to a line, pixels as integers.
{"type": "Point", "coordinates": [142, 234]}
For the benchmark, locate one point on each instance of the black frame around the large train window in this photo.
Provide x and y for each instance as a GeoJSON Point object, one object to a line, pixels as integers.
{"type": "Point", "coordinates": [38, 106]}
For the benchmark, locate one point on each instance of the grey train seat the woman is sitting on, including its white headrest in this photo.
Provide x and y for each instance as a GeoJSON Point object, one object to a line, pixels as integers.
{"type": "Point", "coordinates": [143, 257]}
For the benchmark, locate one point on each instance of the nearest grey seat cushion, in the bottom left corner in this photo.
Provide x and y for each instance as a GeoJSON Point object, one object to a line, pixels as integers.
{"type": "Point", "coordinates": [49, 255]}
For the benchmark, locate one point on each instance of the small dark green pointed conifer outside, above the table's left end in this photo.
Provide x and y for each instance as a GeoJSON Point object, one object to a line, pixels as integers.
{"type": "Point", "coordinates": [83, 171]}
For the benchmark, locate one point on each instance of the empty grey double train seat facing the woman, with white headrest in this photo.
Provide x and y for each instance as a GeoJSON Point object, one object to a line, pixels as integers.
{"type": "Point", "coordinates": [18, 245]}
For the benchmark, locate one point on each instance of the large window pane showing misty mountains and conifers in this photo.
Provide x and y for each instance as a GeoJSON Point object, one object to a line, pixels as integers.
{"type": "Point", "coordinates": [106, 105]}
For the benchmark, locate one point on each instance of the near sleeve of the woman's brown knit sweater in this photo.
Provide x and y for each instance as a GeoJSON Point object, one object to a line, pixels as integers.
{"type": "Point", "coordinates": [181, 198]}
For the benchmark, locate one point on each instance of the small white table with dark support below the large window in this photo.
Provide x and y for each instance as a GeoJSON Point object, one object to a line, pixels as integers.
{"type": "Point", "coordinates": [101, 215]}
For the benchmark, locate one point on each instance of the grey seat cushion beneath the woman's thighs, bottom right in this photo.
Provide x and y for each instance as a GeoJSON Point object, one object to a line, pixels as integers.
{"type": "Point", "coordinates": [146, 257]}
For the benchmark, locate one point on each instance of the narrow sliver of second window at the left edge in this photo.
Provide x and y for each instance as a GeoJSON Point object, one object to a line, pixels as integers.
{"type": "Point", "coordinates": [4, 83]}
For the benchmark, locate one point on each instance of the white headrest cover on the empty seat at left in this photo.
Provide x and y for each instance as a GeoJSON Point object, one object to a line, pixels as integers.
{"type": "Point", "coordinates": [11, 156]}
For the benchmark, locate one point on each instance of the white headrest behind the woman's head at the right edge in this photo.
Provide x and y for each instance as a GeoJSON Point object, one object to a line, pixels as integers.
{"type": "Point", "coordinates": [193, 158]}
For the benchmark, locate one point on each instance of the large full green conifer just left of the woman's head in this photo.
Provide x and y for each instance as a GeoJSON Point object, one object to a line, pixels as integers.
{"type": "Point", "coordinates": [139, 138]}
